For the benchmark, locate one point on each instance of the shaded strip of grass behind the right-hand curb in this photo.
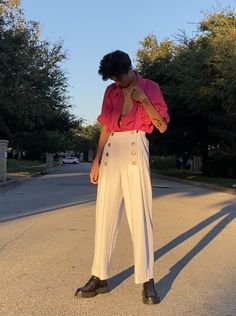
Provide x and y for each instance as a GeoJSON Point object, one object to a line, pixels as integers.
{"type": "Point", "coordinates": [188, 175]}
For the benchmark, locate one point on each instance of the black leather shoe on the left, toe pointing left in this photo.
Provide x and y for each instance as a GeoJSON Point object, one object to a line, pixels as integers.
{"type": "Point", "coordinates": [93, 287]}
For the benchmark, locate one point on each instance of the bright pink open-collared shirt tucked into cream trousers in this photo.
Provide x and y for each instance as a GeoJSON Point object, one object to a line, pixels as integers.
{"type": "Point", "coordinates": [137, 118]}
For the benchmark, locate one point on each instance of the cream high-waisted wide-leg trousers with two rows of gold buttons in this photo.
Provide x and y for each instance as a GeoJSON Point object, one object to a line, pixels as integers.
{"type": "Point", "coordinates": [124, 180]}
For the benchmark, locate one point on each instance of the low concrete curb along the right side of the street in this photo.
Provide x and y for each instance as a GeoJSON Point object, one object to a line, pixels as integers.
{"type": "Point", "coordinates": [197, 184]}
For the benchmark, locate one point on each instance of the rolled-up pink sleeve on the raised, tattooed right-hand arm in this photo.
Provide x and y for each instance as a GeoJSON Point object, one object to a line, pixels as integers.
{"type": "Point", "coordinates": [154, 94]}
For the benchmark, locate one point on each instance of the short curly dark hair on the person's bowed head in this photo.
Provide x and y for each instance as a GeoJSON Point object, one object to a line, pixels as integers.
{"type": "Point", "coordinates": [114, 64]}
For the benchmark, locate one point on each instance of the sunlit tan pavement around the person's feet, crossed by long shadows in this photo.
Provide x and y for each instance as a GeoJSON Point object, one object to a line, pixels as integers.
{"type": "Point", "coordinates": [45, 257]}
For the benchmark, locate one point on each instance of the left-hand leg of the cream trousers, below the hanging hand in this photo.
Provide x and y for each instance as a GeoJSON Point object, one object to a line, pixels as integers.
{"type": "Point", "coordinates": [109, 208]}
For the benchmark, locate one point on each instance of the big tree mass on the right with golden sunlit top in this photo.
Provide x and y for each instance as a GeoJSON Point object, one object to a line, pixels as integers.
{"type": "Point", "coordinates": [198, 78]}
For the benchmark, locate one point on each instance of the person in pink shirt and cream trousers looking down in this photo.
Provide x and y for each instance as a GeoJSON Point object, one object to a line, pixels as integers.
{"type": "Point", "coordinates": [132, 106]}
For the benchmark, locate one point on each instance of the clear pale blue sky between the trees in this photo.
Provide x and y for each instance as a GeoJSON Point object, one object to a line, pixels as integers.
{"type": "Point", "coordinates": [92, 28]}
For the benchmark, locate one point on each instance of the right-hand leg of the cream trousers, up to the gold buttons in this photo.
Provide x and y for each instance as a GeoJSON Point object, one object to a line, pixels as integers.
{"type": "Point", "coordinates": [136, 186]}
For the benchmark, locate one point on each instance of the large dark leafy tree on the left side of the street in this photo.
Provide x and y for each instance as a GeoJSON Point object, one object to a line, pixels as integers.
{"type": "Point", "coordinates": [34, 105]}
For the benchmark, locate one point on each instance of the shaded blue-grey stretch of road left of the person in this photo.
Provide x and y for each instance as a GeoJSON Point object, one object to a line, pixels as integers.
{"type": "Point", "coordinates": [66, 185]}
